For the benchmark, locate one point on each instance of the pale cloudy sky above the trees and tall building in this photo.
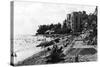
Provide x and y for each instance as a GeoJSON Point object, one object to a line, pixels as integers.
{"type": "Point", "coordinates": [29, 15]}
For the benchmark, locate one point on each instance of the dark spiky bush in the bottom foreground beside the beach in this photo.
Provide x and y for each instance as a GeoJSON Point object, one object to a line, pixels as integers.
{"type": "Point", "coordinates": [56, 55]}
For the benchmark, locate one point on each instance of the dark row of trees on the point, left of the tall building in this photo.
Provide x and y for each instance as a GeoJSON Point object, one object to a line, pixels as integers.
{"type": "Point", "coordinates": [55, 27]}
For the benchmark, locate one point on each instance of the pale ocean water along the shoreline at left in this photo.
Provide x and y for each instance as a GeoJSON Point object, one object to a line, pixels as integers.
{"type": "Point", "coordinates": [25, 46]}
